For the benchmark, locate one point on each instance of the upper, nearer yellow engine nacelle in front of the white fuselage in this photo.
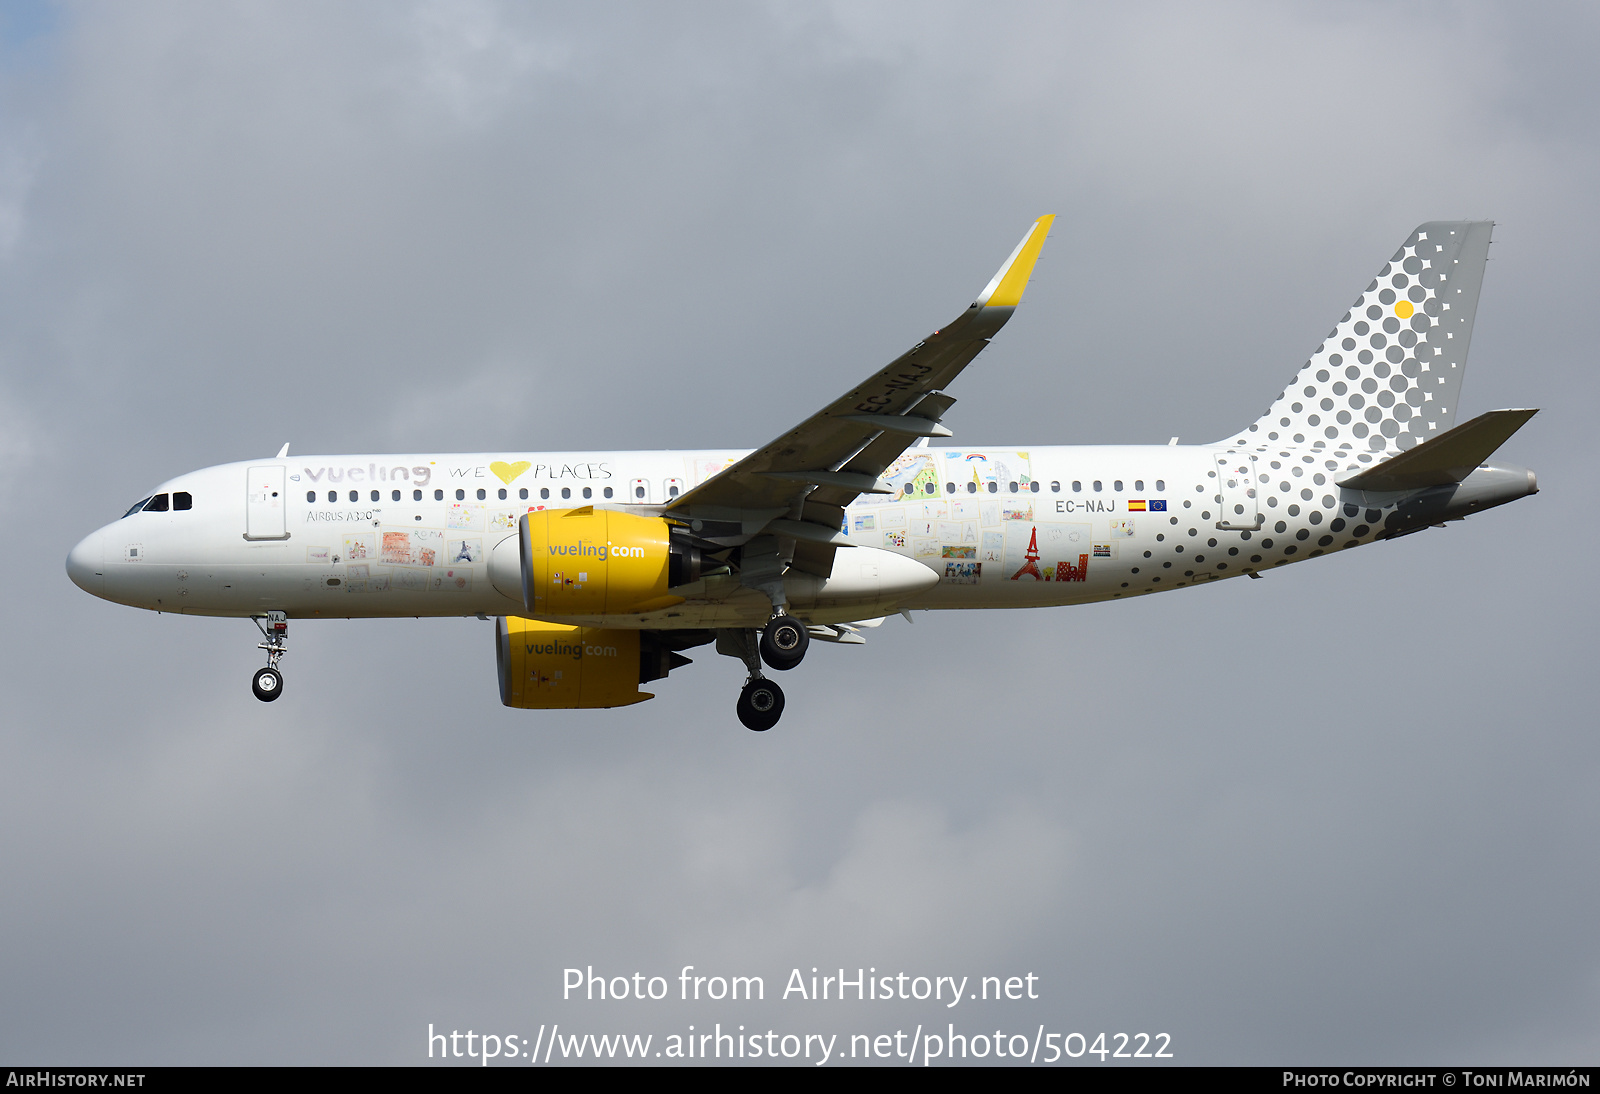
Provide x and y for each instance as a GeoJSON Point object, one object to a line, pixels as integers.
{"type": "Point", "coordinates": [596, 562]}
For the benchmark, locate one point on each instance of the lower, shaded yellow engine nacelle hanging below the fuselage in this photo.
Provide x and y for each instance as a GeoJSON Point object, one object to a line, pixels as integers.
{"type": "Point", "coordinates": [548, 666]}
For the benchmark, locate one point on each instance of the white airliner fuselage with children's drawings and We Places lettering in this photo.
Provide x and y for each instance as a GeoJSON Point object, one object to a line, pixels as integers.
{"type": "Point", "coordinates": [425, 535]}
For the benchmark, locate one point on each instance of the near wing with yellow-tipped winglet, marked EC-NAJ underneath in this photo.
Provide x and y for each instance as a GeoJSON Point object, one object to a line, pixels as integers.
{"type": "Point", "coordinates": [798, 485]}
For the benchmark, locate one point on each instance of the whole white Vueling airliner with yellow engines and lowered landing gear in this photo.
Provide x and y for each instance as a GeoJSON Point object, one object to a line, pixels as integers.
{"type": "Point", "coordinates": [601, 569]}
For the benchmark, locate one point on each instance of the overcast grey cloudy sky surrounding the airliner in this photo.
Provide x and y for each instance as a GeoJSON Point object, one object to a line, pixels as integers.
{"type": "Point", "coordinates": [1342, 815]}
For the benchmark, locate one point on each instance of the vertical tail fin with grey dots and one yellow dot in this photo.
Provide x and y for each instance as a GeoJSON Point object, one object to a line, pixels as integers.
{"type": "Point", "coordinates": [1390, 375]}
